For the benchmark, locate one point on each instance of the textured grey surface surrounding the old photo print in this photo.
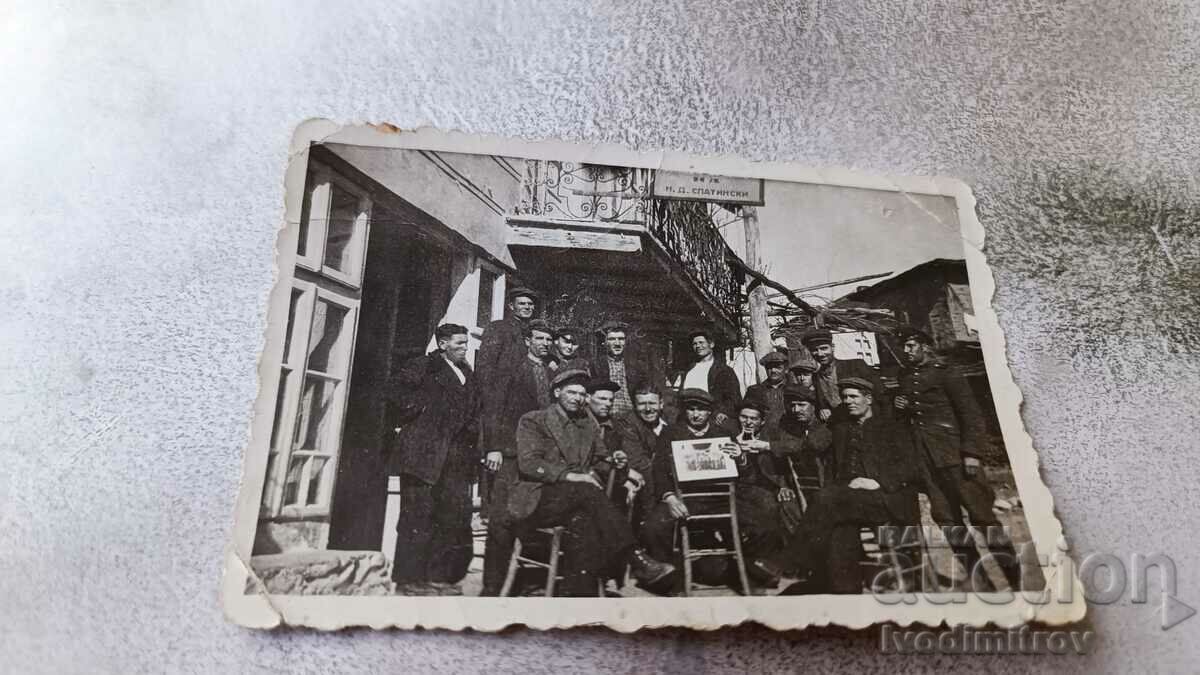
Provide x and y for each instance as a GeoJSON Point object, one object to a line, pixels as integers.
{"type": "Point", "coordinates": [143, 157]}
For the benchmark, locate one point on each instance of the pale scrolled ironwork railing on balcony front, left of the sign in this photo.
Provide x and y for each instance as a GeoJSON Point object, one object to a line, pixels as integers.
{"type": "Point", "coordinates": [584, 193]}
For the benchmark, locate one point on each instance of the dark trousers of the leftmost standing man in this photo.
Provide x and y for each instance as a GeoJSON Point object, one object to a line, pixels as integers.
{"type": "Point", "coordinates": [434, 541]}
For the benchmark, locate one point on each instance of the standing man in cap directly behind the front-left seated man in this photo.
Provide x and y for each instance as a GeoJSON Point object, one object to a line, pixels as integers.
{"type": "Point", "coordinates": [527, 390]}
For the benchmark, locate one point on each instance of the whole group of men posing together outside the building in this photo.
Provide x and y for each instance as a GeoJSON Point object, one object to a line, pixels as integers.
{"type": "Point", "coordinates": [585, 446]}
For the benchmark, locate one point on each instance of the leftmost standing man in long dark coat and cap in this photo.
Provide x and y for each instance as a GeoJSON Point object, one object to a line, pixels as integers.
{"type": "Point", "coordinates": [435, 455]}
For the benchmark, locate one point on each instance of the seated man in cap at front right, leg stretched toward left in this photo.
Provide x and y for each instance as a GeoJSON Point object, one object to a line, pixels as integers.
{"type": "Point", "coordinates": [875, 483]}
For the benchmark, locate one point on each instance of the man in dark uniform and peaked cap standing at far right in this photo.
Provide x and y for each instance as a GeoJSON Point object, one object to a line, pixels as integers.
{"type": "Point", "coordinates": [947, 431]}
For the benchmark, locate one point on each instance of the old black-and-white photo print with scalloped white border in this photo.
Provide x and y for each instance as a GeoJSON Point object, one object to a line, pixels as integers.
{"type": "Point", "coordinates": [483, 355]}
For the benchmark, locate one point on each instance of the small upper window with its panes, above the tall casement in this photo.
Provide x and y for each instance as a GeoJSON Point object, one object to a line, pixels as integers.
{"type": "Point", "coordinates": [333, 230]}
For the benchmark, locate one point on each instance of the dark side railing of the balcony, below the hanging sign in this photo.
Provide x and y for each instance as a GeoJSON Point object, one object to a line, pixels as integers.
{"type": "Point", "coordinates": [687, 231]}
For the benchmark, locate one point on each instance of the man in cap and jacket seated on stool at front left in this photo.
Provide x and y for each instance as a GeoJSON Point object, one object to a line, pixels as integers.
{"type": "Point", "coordinates": [560, 455]}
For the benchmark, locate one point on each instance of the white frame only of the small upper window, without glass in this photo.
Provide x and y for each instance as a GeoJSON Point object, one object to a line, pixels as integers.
{"type": "Point", "coordinates": [317, 236]}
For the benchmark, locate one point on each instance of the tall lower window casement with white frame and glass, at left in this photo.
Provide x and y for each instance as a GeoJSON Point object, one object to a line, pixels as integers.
{"type": "Point", "coordinates": [310, 404]}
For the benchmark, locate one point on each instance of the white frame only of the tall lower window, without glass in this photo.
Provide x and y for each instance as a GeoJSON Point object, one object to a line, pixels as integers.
{"type": "Point", "coordinates": [296, 372]}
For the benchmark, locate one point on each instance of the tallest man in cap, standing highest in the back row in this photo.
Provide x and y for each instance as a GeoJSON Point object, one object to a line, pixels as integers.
{"type": "Point", "coordinates": [501, 351]}
